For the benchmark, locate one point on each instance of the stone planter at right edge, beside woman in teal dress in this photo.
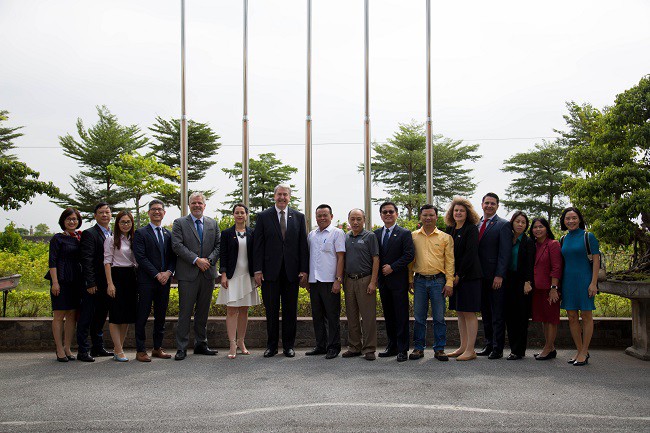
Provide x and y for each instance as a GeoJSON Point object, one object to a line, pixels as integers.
{"type": "Point", "coordinates": [639, 293]}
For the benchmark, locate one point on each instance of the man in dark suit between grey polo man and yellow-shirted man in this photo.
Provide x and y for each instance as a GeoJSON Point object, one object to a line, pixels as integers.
{"type": "Point", "coordinates": [396, 251]}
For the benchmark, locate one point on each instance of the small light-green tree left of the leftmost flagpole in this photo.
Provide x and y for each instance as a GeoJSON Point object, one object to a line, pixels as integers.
{"type": "Point", "coordinates": [139, 176]}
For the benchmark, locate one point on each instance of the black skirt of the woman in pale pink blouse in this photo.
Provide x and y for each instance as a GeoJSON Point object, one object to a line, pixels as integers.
{"type": "Point", "coordinates": [122, 308]}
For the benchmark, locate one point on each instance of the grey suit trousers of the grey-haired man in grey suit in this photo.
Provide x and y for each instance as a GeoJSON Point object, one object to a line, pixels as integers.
{"type": "Point", "coordinates": [193, 297]}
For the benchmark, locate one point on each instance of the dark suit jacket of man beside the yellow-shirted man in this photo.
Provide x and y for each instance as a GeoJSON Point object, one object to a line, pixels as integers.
{"type": "Point", "coordinates": [399, 253]}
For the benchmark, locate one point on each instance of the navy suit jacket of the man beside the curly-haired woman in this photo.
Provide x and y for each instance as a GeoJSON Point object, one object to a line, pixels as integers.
{"type": "Point", "coordinates": [495, 247]}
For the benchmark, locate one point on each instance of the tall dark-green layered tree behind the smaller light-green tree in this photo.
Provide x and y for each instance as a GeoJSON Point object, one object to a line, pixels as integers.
{"type": "Point", "coordinates": [98, 147]}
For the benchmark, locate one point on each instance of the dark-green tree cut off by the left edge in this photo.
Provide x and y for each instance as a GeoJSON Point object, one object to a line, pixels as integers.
{"type": "Point", "coordinates": [18, 183]}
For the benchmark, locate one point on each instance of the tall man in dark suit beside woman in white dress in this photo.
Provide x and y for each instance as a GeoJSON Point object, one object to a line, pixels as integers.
{"type": "Point", "coordinates": [281, 263]}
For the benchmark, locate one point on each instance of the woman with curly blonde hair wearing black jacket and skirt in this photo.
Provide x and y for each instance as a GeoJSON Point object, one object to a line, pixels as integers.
{"type": "Point", "coordinates": [461, 220]}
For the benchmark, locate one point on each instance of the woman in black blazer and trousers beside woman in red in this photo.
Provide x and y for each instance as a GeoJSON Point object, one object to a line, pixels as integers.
{"type": "Point", "coordinates": [518, 285]}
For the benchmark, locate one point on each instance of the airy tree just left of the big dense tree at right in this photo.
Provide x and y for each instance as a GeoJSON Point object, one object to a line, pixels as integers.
{"type": "Point", "coordinates": [541, 172]}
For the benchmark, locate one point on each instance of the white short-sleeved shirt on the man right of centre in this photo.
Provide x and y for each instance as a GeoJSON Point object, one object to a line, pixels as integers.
{"type": "Point", "coordinates": [323, 246]}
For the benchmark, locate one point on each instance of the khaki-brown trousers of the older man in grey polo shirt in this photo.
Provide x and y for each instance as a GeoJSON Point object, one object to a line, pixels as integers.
{"type": "Point", "coordinates": [362, 337]}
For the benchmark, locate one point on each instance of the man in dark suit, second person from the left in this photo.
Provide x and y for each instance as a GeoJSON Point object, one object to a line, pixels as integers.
{"type": "Point", "coordinates": [94, 301]}
